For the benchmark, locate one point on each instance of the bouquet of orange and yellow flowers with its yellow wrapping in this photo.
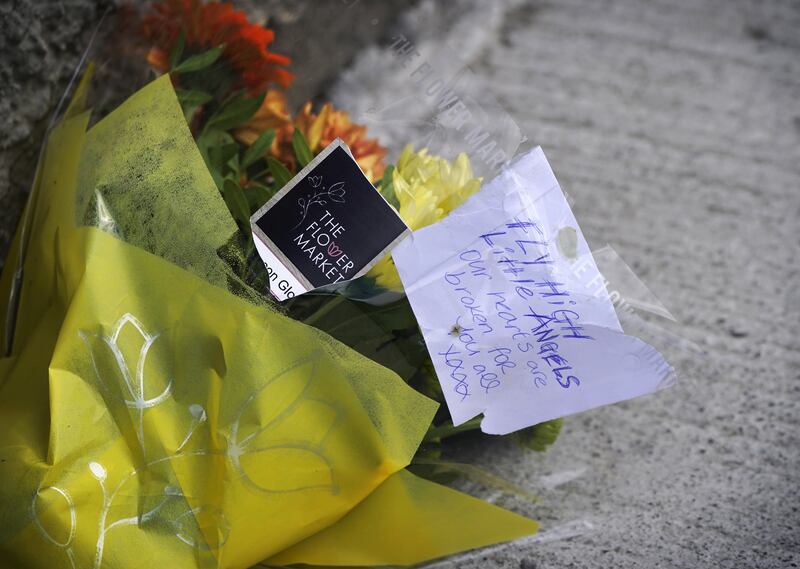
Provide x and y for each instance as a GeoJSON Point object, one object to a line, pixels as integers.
{"type": "Point", "coordinates": [159, 406]}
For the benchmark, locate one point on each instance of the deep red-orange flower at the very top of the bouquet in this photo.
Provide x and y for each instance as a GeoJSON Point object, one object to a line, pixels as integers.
{"type": "Point", "coordinates": [209, 25]}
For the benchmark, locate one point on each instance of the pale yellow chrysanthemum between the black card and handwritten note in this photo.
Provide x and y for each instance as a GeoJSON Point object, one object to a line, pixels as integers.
{"type": "Point", "coordinates": [428, 187]}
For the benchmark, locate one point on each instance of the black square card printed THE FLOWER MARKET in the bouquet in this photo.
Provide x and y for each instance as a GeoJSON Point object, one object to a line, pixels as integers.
{"type": "Point", "coordinates": [327, 225]}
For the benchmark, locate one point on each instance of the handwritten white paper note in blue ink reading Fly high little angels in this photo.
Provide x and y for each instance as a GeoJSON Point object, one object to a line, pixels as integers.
{"type": "Point", "coordinates": [514, 312]}
